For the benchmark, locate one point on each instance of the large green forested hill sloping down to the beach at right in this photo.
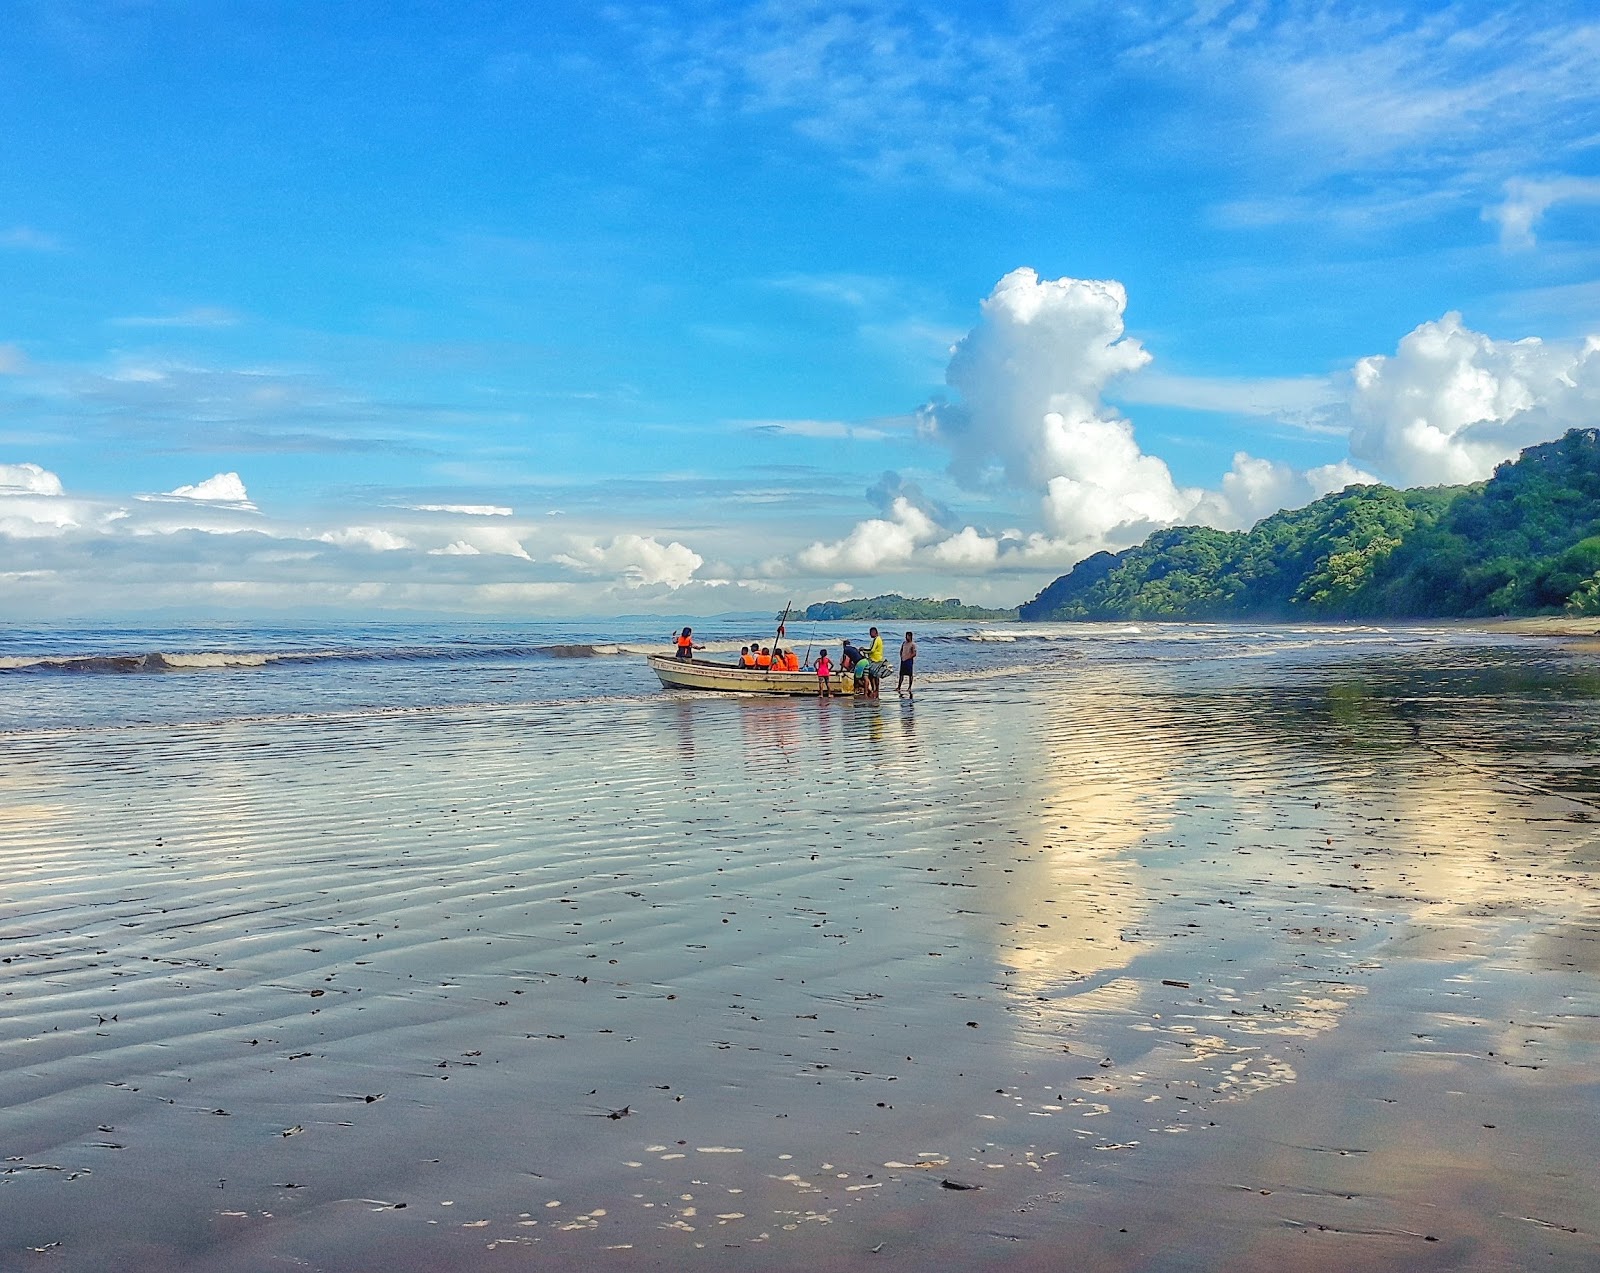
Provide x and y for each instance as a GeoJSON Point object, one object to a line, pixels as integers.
{"type": "Point", "coordinates": [1524, 543]}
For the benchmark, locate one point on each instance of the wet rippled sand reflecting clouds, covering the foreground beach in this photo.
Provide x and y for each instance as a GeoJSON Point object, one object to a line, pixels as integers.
{"type": "Point", "coordinates": [1102, 973]}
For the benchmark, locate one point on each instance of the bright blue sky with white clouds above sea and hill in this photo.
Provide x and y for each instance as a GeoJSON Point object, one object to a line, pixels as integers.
{"type": "Point", "coordinates": [494, 309]}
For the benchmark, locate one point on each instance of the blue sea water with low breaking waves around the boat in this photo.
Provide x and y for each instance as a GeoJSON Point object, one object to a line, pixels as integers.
{"type": "Point", "coordinates": [74, 677]}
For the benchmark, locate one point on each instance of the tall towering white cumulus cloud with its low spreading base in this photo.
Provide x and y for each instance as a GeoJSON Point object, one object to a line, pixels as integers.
{"type": "Point", "coordinates": [1031, 417]}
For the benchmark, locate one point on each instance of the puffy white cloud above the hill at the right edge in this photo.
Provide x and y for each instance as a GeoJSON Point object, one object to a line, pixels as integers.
{"type": "Point", "coordinates": [1452, 404]}
